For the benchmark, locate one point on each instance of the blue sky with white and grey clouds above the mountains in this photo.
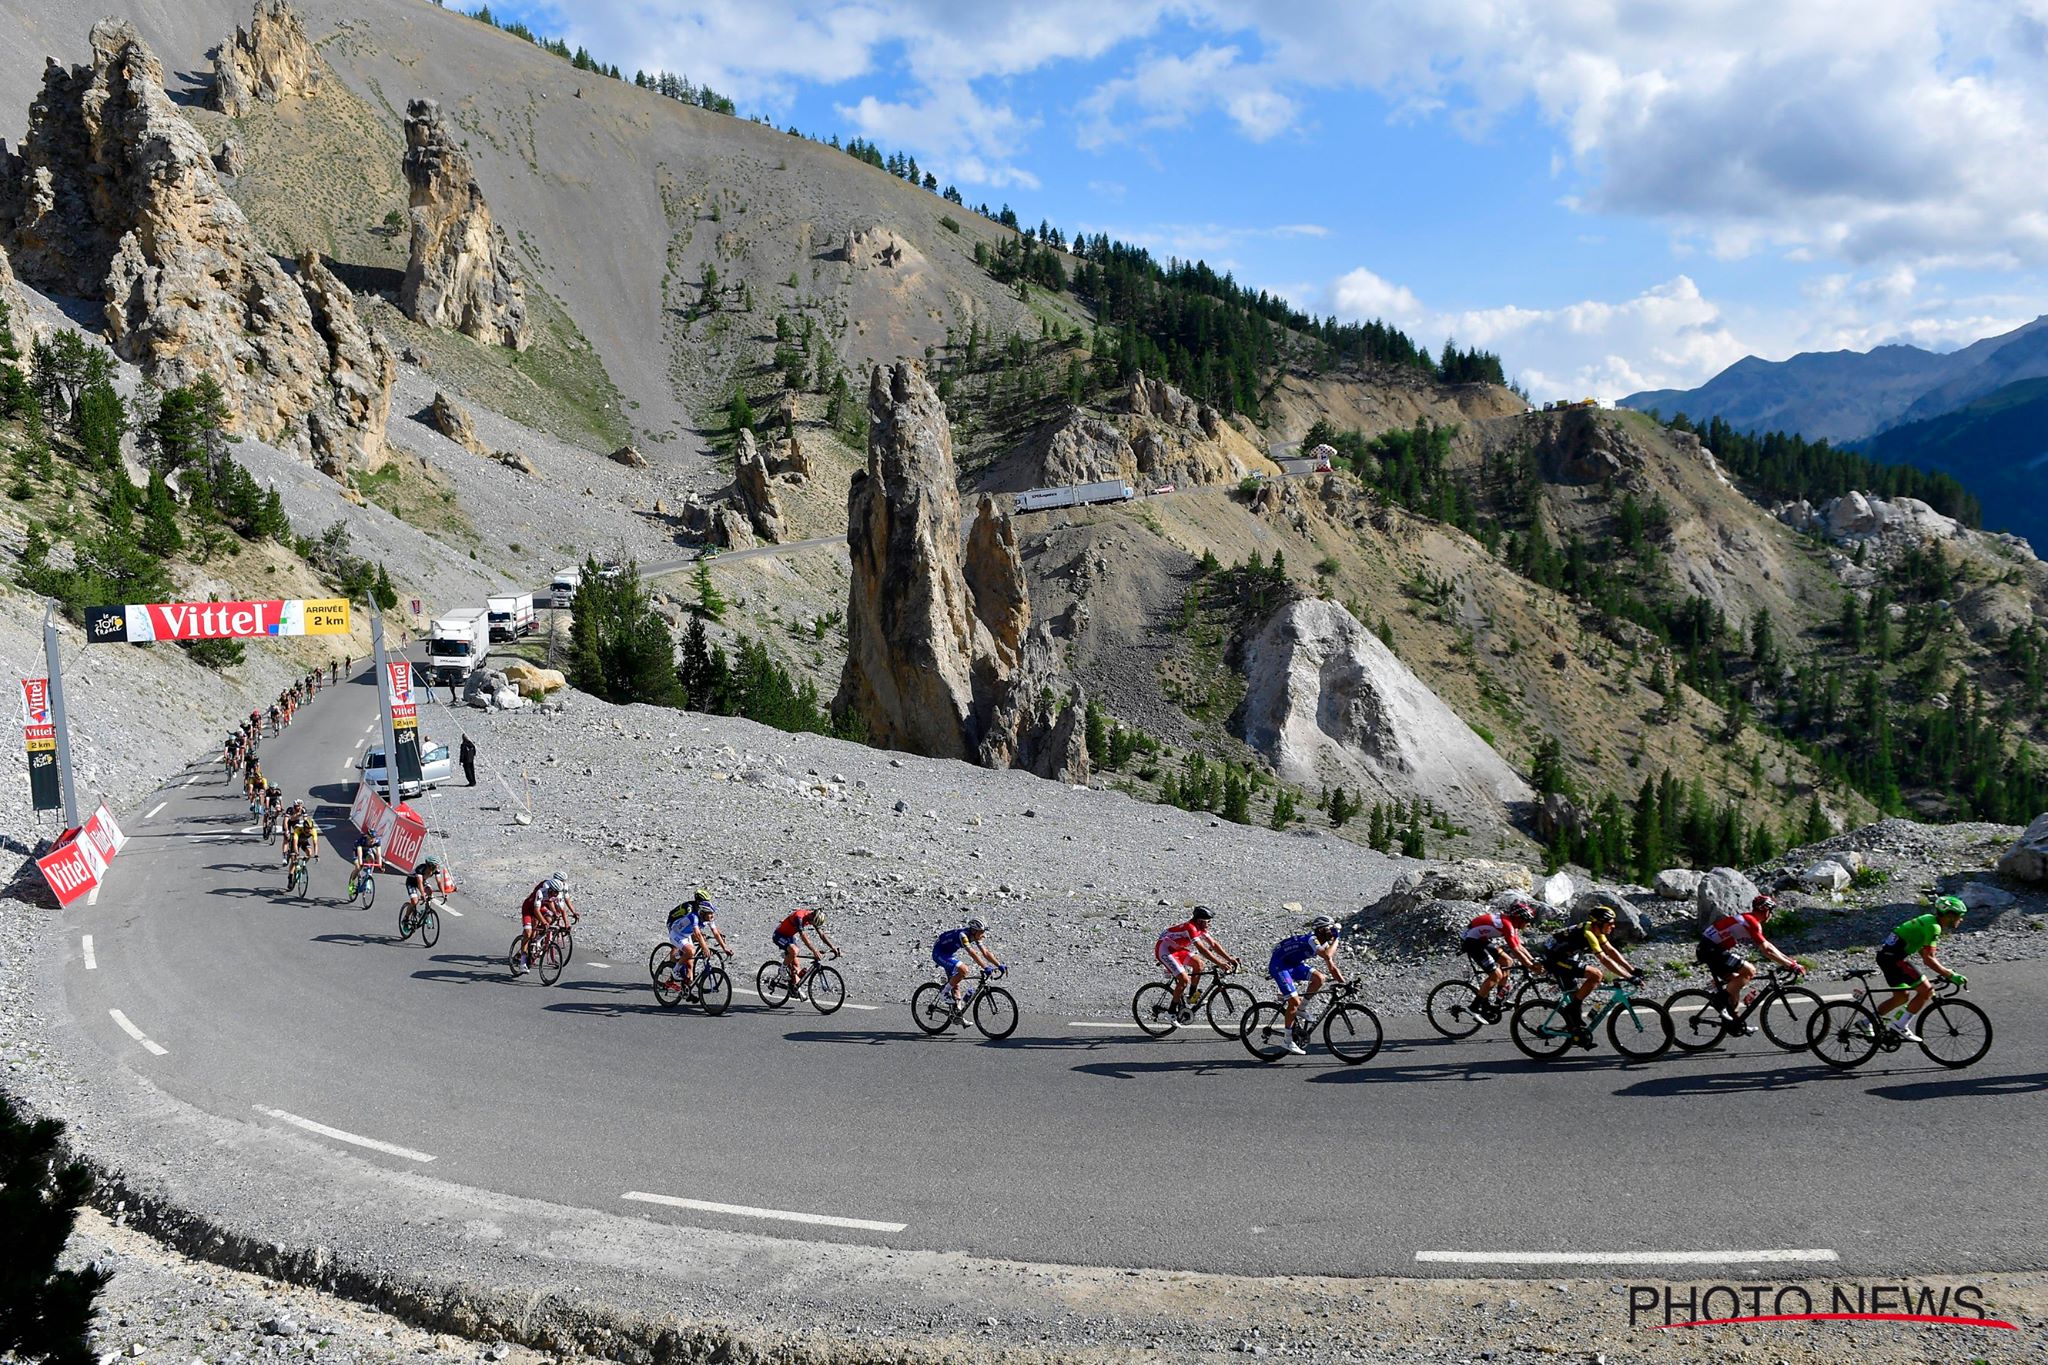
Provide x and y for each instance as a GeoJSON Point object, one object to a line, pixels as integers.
{"type": "Point", "coordinates": [1611, 195]}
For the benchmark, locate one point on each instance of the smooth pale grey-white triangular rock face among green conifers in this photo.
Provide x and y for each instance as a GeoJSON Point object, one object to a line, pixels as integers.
{"type": "Point", "coordinates": [1328, 703]}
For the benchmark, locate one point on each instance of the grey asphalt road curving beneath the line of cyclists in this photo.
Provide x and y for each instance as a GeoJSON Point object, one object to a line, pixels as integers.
{"type": "Point", "coordinates": [1074, 1145]}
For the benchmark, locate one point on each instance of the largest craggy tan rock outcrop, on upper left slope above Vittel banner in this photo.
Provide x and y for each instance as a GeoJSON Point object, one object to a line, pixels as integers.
{"type": "Point", "coordinates": [114, 197]}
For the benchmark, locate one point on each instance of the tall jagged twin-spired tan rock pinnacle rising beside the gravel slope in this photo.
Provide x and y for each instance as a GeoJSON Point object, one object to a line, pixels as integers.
{"type": "Point", "coordinates": [939, 660]}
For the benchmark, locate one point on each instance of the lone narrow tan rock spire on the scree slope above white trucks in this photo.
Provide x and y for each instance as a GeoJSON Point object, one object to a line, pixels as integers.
{"type": "Point", "coordinates": [460, 273]}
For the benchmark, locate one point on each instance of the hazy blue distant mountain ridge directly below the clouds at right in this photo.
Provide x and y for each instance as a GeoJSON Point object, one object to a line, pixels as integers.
{"type": "Point", "coordinates": [1848, 396]}
